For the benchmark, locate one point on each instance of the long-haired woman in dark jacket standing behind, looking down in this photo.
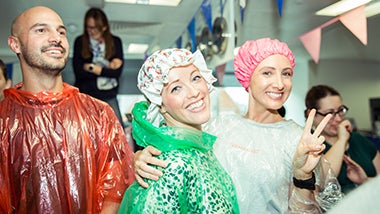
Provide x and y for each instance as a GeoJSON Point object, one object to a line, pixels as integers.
{"type": "Point", "coordinates": [98, 60]}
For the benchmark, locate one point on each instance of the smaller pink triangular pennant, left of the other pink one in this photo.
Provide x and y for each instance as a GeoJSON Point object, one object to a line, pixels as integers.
{"type": "Point", "coordinates": [312, 42]}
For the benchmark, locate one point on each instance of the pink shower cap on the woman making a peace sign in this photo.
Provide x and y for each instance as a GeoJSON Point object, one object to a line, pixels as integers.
{"type": "Point", "coordinates": [253, 52]}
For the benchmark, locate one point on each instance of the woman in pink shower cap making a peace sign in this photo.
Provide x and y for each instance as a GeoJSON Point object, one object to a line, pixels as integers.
{"type": "Point", "coordinates": [262, 151]}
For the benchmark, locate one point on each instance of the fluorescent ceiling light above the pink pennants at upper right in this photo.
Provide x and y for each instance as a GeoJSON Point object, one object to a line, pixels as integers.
{"type": "Point", "coordinates": [341, 7]}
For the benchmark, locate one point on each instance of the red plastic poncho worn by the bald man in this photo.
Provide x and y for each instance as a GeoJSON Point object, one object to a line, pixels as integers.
{"type": "Point", "coordinates": [60, 153]}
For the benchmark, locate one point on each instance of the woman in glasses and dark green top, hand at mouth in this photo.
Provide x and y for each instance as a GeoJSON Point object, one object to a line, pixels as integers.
{"type": "Point", "coordinates": [353, 157]}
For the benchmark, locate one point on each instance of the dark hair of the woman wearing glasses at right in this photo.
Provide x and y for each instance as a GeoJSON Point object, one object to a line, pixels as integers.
{"type": "Point", "coordinates": [316, 93]}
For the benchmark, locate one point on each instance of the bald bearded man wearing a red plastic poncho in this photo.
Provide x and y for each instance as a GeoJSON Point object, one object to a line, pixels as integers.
{"type": "Point", "coordinates": [61, 151]}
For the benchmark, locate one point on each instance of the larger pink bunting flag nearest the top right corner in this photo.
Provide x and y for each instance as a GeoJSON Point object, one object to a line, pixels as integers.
{"type": "Point", "coordinates": [356, 21]}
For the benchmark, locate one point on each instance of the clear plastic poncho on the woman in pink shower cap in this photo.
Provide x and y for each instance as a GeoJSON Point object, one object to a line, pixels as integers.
{"type": "Point", "coordinates": [258, 157]}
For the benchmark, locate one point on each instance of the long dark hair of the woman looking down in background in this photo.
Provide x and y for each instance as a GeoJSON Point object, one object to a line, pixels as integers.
{"type": "Point", "coordinates": [101, 21]}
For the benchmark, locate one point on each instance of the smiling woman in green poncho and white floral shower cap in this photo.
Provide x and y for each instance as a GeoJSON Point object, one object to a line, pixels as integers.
{"type": "Point", "coordinates": [177, 84]}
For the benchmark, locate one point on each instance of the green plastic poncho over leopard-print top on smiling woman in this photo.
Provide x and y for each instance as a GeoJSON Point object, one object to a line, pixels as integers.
{"type": "Point", "coordinates": [193, 181]}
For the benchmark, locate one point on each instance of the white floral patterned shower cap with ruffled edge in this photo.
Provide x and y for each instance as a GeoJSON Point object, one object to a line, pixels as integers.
{"type": "Point", "coordinates": [154, 74]}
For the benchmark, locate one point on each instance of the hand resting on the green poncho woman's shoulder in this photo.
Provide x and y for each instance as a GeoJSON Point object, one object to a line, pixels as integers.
{"type": "Point", "coordinates": [142, 161]}
